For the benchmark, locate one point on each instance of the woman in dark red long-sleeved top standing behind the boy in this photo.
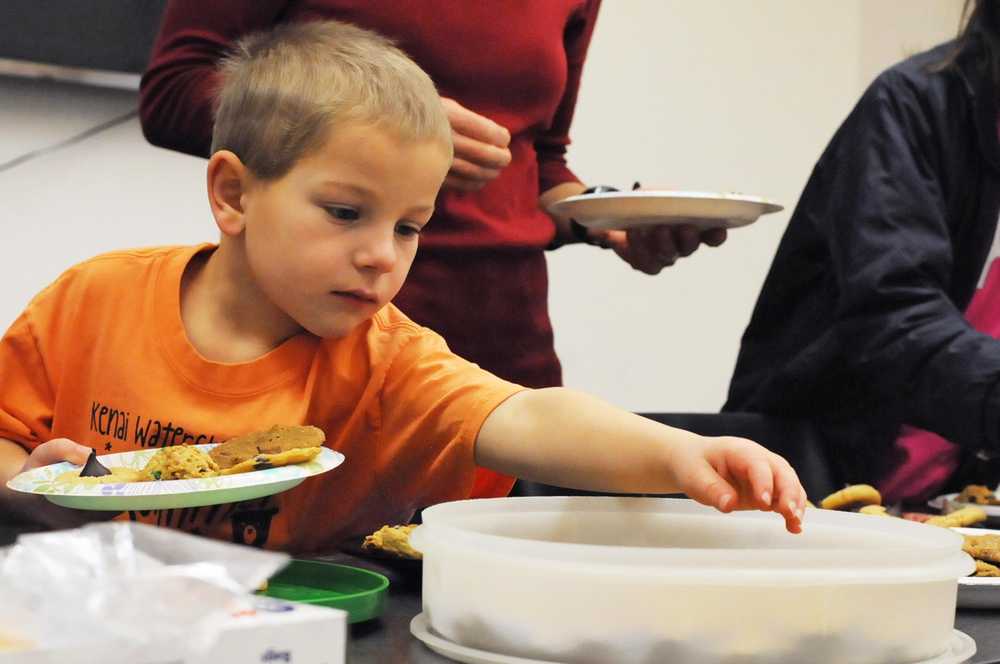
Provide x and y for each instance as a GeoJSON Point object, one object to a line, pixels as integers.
{"type": "Point", "coordinates": [508, 73]}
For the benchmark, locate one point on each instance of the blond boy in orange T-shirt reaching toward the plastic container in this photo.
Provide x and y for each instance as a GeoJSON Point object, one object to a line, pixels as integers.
{"type": "Point", "coordinates": [328, 152]}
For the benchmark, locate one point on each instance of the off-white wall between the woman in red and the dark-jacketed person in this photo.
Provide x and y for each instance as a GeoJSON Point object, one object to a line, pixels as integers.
{"type": "Point", "coordinates": [716, 95]}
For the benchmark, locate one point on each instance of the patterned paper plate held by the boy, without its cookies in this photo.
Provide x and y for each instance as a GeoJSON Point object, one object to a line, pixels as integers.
{"type": "Point", "coordinates": [168, 494]}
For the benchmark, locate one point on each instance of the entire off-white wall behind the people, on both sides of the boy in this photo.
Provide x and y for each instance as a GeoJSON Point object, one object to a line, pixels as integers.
{"type": "Point", "coordinates": [727, 95]}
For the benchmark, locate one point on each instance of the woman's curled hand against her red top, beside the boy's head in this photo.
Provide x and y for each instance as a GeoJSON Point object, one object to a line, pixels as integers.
{"type": "Point", "coordinates": [480, 148]}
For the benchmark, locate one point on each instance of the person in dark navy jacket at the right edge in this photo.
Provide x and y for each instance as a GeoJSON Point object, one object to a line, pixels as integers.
{"type": "Point", "coordinates": [878, 318]}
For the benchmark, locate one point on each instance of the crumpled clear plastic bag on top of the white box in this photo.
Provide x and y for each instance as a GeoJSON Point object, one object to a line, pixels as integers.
{"type": "Point", "coordinates": [123, 592]}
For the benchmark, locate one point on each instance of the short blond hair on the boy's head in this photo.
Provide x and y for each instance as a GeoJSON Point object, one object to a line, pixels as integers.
{"type": "Point", "coordinates": [283, 90]}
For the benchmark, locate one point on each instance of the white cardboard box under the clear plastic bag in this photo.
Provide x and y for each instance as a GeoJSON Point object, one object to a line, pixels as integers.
{"type": "Point", "coordinates": [269, 631]}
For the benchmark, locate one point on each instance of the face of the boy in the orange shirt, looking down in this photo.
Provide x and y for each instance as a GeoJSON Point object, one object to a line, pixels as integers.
{"type": "Point", "coordinates": [331, 242]}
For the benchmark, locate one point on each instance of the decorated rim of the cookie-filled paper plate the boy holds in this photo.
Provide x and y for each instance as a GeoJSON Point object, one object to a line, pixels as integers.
{"type": "Point", "coordinates": [42, 480]}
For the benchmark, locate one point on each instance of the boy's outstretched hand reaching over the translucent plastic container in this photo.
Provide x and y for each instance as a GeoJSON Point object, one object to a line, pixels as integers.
{"type": "Point", "coordinates": [737, 474]}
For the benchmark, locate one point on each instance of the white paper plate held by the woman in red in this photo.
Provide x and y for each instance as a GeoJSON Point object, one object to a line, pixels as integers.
{"type": "Point", "coordinates": [619, 210]}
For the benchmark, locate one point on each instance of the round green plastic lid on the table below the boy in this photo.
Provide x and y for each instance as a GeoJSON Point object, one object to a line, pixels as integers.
{"type": "Point", "coordinates": [360, 592]}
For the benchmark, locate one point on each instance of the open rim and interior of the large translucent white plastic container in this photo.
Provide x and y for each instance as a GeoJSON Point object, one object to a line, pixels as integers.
{"type": "Point", "coordinates": [677, 537]}
